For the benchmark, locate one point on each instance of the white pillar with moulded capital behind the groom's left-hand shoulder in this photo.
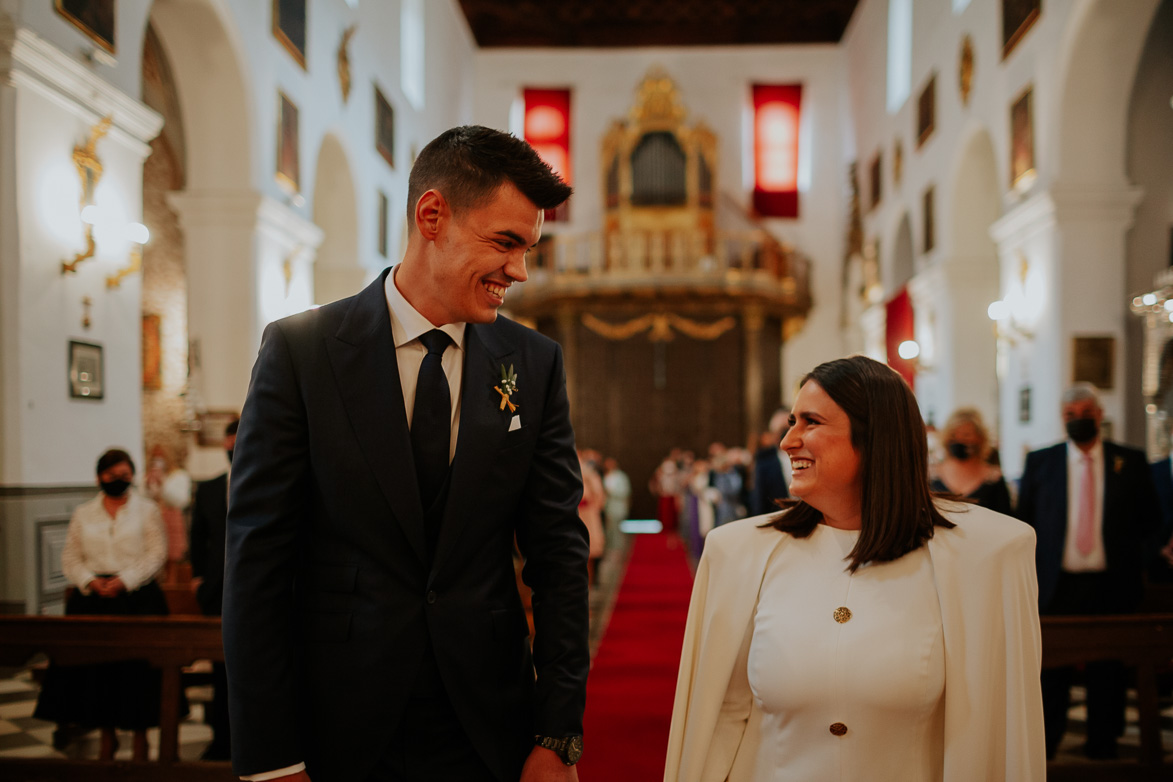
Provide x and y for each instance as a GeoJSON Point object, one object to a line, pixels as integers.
{"type": "Point", "coordinates": [250, 261]}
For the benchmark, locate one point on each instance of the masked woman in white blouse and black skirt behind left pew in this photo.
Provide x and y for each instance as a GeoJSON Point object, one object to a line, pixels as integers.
{"type": "Point", "coordinates": [116, 546]}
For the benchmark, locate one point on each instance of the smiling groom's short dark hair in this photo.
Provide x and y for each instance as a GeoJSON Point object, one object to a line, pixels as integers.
{"type": "Point", "coordinates": [470, 164]}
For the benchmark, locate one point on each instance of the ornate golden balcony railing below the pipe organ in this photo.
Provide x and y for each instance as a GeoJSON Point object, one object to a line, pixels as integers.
{"type": "Point", "coordinates": [744, 264]}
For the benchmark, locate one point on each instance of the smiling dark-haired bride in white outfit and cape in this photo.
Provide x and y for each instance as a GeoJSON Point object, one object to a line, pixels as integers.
{"type": "Point", "coordinates": [869, 633]}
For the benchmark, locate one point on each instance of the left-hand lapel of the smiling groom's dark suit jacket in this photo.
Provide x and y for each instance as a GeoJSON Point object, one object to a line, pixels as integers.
{"type": "Point", "coordinates": [363, 356]}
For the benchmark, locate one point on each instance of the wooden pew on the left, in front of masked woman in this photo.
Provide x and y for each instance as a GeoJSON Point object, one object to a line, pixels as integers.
{"type": "Point", "coordinates": [167, 643]}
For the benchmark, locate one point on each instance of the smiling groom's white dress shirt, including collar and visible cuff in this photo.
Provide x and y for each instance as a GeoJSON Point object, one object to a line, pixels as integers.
{"type": "Point", "coordinates": [406, 328]}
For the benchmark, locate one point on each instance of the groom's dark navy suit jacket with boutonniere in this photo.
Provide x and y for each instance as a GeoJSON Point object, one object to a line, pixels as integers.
{"type": "Point", "coordinates": [330, 595]}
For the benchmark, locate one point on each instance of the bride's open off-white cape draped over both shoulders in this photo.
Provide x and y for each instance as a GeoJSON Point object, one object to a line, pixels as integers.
{"type": "Point", "coordinates": [985, 574]}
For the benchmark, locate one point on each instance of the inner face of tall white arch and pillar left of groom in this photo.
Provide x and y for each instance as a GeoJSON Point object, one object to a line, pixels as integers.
{"type": "Point", "coordinates": [219, 206]}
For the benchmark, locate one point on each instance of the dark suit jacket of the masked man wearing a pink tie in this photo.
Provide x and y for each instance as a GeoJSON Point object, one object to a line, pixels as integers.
{"type": "Point", "coordinates": [1130, 513]}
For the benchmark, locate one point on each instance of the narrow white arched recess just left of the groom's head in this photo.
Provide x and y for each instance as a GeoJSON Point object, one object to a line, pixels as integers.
{"type": "Point", "coordinates": [337, 271]}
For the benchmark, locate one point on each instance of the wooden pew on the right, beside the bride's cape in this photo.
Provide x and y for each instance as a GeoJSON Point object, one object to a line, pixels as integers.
{"type": "Point", "coordinates": [1144, 642]}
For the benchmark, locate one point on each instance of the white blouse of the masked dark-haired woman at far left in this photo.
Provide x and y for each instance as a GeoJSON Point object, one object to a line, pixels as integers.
{"type": "Point", "coordinates": [132, 545]}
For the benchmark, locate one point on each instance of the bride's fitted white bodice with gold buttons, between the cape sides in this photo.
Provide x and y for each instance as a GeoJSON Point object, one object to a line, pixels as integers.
{"type": "Point", "coordinates": [849, 670]}
